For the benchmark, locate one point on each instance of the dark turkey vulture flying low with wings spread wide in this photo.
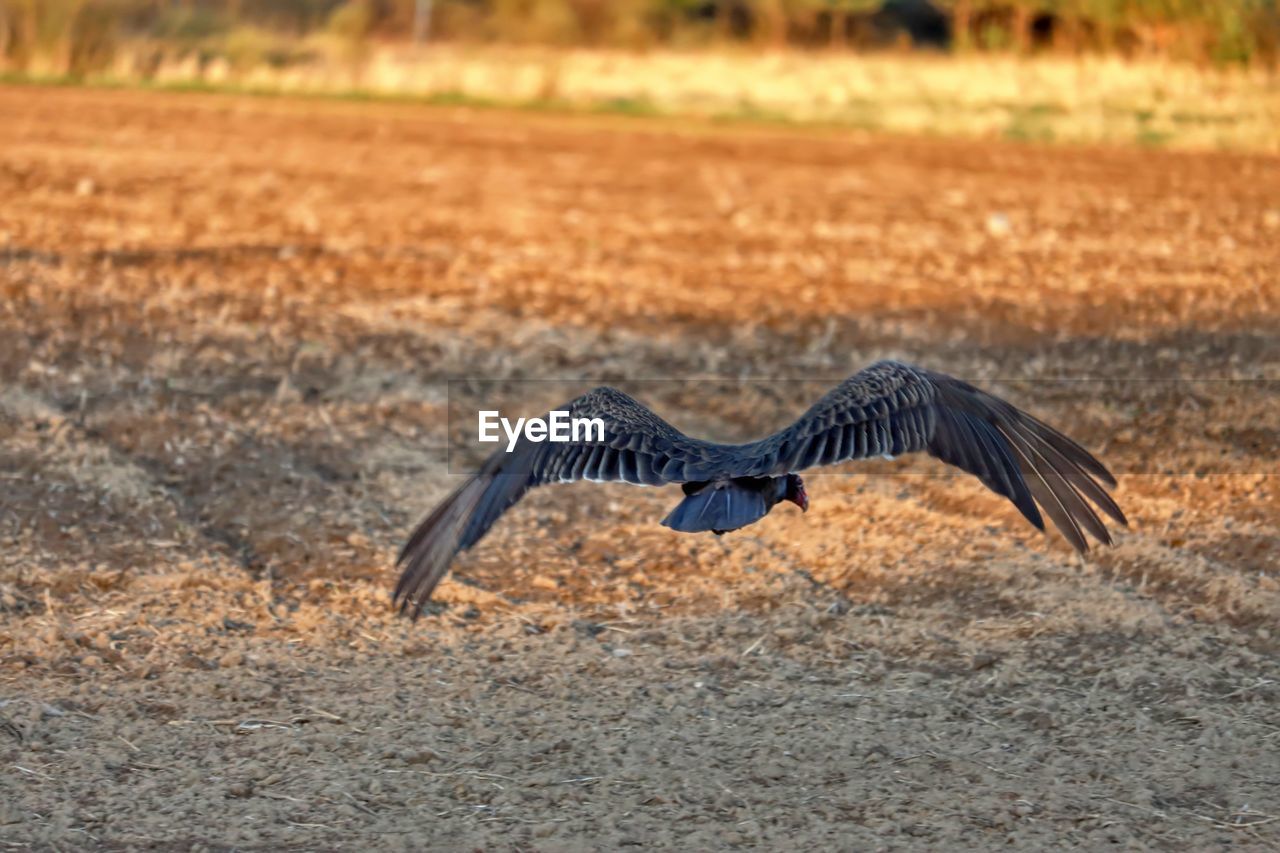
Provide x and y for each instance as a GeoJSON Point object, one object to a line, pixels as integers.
{"type": "Point", "coordinates": [884, 410]}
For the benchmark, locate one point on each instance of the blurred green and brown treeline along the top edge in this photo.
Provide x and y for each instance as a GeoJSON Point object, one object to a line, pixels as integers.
{"type": "Point", "coordinates": [80, 37]}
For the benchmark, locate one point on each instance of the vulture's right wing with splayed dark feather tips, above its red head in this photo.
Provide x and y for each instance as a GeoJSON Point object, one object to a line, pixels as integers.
{"type": "Point", "coordinates": [892, 408]}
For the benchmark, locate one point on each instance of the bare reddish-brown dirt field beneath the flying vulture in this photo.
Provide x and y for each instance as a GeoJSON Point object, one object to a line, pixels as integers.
{"type": "Point", "coordinates": [227, 332]}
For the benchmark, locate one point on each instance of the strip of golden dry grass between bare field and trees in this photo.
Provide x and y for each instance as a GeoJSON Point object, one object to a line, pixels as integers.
{"type": "Point", "coordinates": [1090, 99]}
